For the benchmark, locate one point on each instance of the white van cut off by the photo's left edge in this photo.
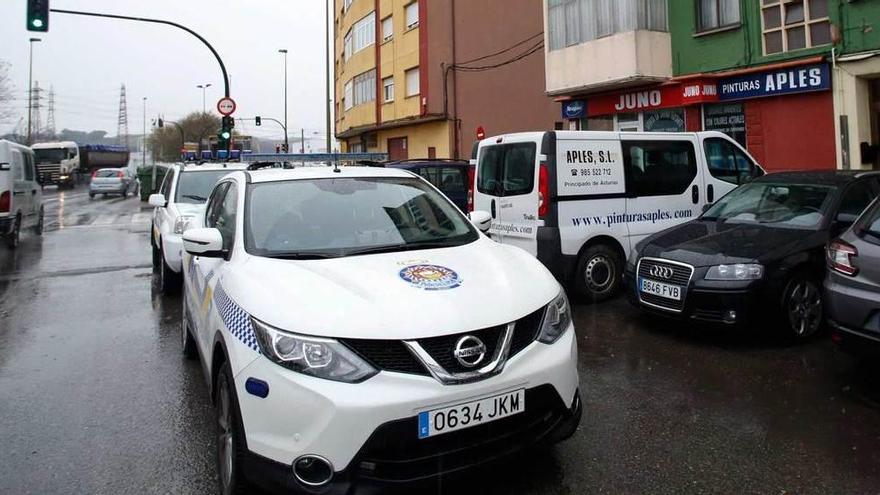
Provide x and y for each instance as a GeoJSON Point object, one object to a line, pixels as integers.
{"type": "Point", "coordinates": [21, 197]}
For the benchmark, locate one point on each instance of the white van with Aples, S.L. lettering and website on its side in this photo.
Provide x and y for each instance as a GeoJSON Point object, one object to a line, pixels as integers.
{"type": "Point", "coordinates": [580, 200]}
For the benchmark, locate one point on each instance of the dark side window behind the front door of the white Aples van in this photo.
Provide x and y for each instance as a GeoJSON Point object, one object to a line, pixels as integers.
{"type": "Point", "coordinates": [659, 168]}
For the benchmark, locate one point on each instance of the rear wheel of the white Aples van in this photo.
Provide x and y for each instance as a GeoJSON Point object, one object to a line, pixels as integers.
{"type": "Point", "coordinates": [598, 273]}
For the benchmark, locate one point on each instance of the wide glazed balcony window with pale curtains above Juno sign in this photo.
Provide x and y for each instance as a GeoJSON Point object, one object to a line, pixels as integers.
{"type": "Point", "coordinates": [572, 22]}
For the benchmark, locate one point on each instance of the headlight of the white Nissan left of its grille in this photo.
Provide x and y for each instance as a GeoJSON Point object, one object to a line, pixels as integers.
{"type": "Point", "coordinates": [317, 357]}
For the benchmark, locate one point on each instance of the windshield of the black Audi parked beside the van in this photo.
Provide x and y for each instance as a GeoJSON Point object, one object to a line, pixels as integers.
{"type": "Point", "coordinates": [786, 205]}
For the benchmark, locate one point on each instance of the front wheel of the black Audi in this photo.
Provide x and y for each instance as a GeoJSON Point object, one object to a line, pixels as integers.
{"type": "Point", "coordinates": [802, 307]}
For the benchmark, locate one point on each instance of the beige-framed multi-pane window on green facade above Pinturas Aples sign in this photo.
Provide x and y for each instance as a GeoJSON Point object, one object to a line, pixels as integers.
{"type": "Point", "coordinates": [794, 24]}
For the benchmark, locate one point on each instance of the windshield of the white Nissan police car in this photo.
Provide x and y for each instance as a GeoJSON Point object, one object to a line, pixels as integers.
{"type": "Point", "coordinates": [330, 218]}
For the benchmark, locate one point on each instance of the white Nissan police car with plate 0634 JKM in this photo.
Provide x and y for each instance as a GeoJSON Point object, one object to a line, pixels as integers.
{"type": "Point", "coordinates": [357, 330]}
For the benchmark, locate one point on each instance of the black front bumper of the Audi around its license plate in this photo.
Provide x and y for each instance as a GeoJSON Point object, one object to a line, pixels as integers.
{"type": "Point", "coordinates": [736, 305]}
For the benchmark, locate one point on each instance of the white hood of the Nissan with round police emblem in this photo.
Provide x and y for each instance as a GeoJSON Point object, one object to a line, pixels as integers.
{"type": "Point", "coordinates": [373, 297]}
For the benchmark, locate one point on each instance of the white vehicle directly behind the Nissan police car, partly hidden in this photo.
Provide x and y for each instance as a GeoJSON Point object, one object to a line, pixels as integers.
{"type": "Point", "coordinates": [181, 199]}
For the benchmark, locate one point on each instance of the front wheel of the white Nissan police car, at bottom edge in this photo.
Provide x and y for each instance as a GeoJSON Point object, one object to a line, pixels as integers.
{"type": "Point", "coordinates": [229, 435]}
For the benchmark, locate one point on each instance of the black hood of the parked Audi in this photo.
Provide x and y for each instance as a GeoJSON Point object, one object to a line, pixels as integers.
{"type": "Point", "coordinates": [707, 243]}
